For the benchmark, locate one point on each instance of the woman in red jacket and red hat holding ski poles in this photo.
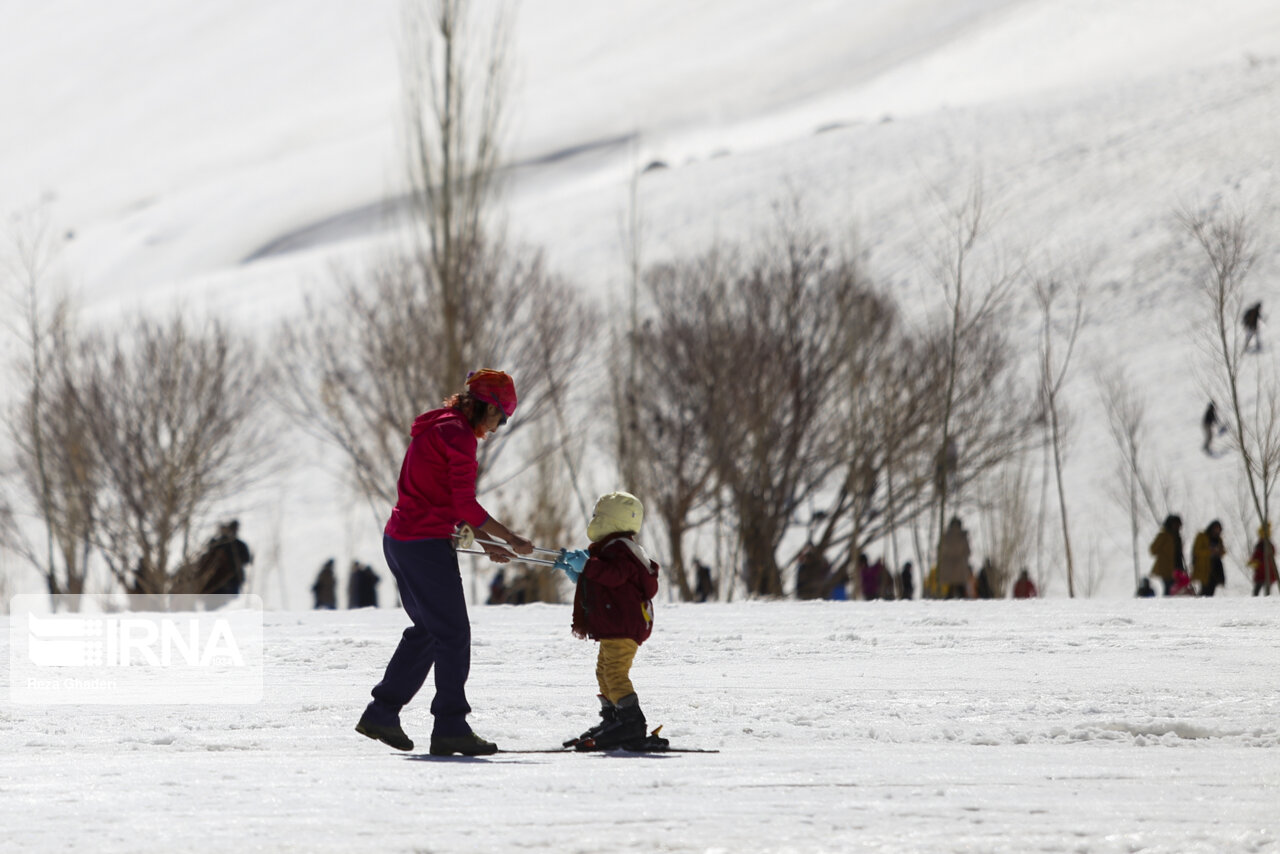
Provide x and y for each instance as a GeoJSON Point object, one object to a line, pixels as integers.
{"type": "Point", "coordinates": [436, 492]}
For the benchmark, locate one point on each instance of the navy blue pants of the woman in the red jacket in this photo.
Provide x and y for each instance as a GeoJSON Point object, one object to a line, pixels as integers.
{"type": "Point", "coordinates": [431, 590]}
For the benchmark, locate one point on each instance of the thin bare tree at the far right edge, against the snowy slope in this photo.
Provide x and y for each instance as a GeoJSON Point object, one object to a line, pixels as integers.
{"type": "Point", "coordinates": [1228, 241]}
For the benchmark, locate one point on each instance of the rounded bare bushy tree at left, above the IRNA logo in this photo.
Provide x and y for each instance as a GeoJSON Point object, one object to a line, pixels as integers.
{"type": "Point", "coordinates": [176, 423]}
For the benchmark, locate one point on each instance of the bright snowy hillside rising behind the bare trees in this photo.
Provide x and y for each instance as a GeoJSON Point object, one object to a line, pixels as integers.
{"type": "Point", "coordinates": [216, 157]}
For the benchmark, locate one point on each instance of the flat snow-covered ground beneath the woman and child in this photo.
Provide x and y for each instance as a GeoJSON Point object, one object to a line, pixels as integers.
{"type": "Point", "coordinates": [1059, 727]}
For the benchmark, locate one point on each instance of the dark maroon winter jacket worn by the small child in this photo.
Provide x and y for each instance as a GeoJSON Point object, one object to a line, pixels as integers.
{"type": "Point", "coordinates": [615, 593]}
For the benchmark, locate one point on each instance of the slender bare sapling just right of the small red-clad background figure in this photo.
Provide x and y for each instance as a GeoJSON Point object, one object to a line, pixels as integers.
{"type": "Point", "coordinates": [1057, 346]}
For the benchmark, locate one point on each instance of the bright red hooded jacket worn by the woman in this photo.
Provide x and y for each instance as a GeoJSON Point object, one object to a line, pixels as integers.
{"type": "Point", "coordinates": [437, 488]}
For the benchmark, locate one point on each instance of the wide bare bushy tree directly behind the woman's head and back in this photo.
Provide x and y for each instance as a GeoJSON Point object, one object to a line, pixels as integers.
{"type": "Point", "coordinates": [356, 373]}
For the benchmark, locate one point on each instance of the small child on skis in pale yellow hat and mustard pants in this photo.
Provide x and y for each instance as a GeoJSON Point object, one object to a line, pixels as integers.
{"type": "Point", "coordinates": [614, 605]}
